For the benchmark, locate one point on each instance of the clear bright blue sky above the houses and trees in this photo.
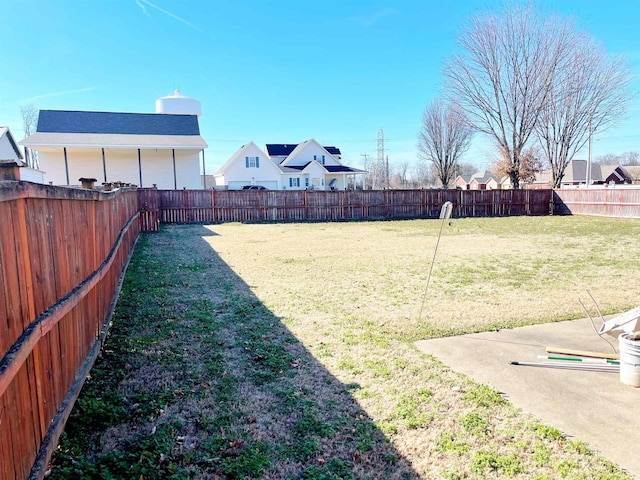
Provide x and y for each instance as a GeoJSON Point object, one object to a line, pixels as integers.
{"type": "Point", "coordinates": [266, 70]}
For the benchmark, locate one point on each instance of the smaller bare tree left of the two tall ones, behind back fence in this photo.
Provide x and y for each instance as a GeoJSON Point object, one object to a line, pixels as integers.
{"type": "Point", "coordinates": [444, 136]}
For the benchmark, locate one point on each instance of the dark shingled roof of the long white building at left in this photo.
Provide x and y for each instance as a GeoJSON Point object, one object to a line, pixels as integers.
{"type": "Point", "coordinates": [66, 121]}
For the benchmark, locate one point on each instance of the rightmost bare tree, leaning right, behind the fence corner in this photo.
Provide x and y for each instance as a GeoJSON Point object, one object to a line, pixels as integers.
{"type": "Point", "coordinates": [589, 93]}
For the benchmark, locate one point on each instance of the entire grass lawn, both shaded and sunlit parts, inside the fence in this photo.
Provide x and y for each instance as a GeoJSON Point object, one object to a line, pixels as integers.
{"type": "Point", "coordinates": [286, 350]}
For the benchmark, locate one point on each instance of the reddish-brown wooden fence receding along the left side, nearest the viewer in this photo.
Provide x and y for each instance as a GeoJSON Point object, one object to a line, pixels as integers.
{"type": "Point", "coordinates": [62, 253]}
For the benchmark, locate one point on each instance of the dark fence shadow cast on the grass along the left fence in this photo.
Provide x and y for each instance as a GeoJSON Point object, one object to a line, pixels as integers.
{"type": "Point", "coordinates": [198, 379]}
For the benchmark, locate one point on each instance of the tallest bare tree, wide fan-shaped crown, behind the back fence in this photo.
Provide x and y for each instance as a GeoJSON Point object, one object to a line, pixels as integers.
{"type": "Point", "coordinates": [503, 75]}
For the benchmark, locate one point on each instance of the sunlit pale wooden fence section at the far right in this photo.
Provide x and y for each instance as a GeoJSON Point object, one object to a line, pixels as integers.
{"type": "Point", "coordinates": [603, 201]}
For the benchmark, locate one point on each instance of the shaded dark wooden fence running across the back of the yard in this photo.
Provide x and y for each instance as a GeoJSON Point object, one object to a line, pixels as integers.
{"type": "Point", "coordinates": [201, 206]}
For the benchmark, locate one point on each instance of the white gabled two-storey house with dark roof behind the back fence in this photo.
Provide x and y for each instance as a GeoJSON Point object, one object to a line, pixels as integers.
{"type": "Point", "coordinates": [304, 166]}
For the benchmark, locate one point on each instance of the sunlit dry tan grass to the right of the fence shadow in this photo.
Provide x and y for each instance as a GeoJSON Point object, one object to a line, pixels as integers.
{"type": "Point", "coordinates": [352, 293]}
